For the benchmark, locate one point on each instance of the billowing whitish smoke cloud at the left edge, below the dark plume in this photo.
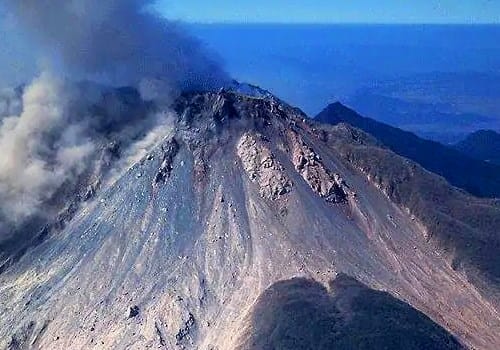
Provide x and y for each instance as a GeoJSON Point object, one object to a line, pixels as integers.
{"type": "Point", "coordinates": [40, 150]}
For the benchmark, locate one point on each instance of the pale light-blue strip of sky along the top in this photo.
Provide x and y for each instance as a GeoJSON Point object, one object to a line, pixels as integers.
{"type": "Point", "coordinates": [333, 11]}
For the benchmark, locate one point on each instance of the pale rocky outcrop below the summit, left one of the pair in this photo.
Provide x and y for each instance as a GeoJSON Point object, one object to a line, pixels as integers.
{"type": "Point", "coordinates": [262, 167]}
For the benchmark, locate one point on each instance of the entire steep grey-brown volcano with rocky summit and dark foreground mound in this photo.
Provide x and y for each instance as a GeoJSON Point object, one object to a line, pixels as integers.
{"type": "Point", "coordinates": [250, 226]}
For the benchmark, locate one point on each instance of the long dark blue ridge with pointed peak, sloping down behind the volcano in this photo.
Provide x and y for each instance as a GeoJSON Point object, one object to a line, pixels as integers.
{"type": "Point", "coordinates": [477, 177]}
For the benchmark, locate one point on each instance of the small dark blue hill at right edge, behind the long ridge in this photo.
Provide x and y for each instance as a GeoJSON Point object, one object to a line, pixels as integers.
{"type": "Point", "coordinates": [483, 145]}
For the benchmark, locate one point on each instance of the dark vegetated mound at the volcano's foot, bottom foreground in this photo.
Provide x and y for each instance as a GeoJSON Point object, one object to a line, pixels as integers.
{"type": "Point", "coordinates": [302, 314]}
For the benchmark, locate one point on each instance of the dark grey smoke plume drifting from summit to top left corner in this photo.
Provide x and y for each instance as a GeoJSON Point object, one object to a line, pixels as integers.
{"type": "Point", "coordinates": [118, 41]}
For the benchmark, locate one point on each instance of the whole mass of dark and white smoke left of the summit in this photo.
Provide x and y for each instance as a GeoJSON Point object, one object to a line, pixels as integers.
{"type": "Point", "coordinates": [50, 132]}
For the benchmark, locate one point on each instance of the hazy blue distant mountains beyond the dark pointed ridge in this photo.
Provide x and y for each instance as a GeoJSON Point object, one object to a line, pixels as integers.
{"type": "Point", "coordinates": [443, 107]}
